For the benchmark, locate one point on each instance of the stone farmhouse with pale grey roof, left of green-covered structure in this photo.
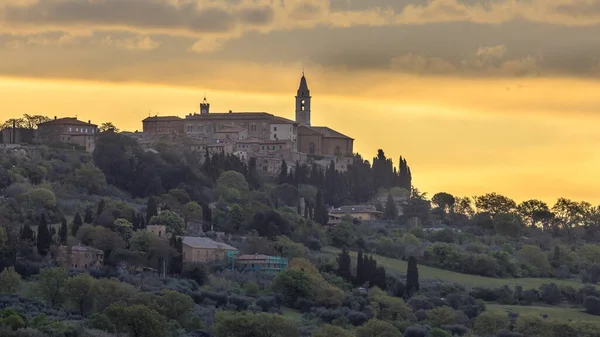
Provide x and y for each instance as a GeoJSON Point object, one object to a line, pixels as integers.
{"type": "Point", "coordinates": [203, 249]}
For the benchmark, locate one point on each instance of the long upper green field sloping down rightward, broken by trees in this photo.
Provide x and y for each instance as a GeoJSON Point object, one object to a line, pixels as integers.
{"type": "Point", "coordinates": [465, 279]}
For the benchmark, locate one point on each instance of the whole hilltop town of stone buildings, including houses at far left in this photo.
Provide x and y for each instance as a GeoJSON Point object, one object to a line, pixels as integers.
{"type": "Point", "coordinates": [268, 138]}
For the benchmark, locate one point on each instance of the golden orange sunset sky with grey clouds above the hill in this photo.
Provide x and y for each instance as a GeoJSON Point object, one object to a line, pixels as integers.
{"type": "Point", "coordinates": [479, 96]}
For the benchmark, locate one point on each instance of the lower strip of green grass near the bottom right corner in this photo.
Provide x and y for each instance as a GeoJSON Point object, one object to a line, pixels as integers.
{"type": "Point", "coordinates": [557, 313]}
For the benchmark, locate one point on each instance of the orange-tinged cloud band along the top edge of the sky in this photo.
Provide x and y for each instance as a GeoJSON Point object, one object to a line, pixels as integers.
{"type": "Point", "coordinates": [235, 18]}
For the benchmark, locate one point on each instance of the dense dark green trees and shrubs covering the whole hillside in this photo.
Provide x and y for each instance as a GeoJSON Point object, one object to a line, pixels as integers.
{"type": "Point", "coordinates": [358, 279]}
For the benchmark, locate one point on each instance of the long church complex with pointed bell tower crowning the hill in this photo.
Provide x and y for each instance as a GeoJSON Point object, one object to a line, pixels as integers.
{"type": "Point", "coordinates": [262, 129]}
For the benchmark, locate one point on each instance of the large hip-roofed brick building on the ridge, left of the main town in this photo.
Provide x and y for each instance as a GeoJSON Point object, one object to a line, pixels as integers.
{"type": "Point", "coordinates": [68, 130]}
